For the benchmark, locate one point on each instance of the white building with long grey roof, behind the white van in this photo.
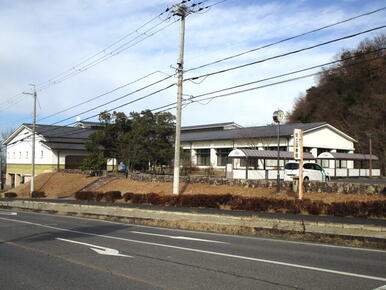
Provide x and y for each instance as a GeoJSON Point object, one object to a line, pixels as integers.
{"type": "Point", "coordinates": [210, 145]}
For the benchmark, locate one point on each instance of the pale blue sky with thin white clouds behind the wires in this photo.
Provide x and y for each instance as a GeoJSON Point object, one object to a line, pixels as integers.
{"type": "Point", "coordinates": [75, 50]}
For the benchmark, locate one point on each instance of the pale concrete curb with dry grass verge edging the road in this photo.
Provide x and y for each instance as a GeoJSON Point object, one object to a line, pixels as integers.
{"type": "Point", "coordinates": [365, 235]}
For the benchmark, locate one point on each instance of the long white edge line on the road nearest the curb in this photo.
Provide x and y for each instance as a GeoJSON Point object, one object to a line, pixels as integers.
{"type": "Point", "coordinates": [217, 234]}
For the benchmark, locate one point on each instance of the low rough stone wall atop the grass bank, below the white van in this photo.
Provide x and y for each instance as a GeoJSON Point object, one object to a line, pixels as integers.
{"type": "Point", "coordinates": [327, 187]}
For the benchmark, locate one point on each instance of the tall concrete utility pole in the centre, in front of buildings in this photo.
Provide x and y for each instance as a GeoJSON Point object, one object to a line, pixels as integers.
{"type": "Point", "coordinates": [182, 11]}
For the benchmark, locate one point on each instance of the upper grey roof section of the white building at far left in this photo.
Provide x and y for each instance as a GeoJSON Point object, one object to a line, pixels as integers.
{"type": "Point", "coordinates": [49, 131]}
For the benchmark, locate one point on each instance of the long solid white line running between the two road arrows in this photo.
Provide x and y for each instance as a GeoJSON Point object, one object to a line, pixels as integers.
{"type": "Point", "coordinates": [210, 252]}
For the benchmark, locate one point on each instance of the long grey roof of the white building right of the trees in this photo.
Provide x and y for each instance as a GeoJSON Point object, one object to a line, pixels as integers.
{"type": "Point", "coordinates": [250, 132]}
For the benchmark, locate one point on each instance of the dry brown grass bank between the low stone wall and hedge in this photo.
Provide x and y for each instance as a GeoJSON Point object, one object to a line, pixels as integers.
{"type": "Point", "coordinates": [126, 185]}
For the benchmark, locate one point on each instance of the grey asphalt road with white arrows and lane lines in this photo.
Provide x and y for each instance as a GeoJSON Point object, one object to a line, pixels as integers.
{"type": "Point", "coordinates": [41, 251]}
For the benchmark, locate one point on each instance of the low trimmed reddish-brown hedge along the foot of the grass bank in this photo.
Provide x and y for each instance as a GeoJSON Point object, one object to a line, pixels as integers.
{"type": "Point", "coordinates": [238, 202]}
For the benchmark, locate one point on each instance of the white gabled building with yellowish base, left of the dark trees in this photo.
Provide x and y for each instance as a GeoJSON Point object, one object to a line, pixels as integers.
{"type": "Point", "coordinates": [56, 147]}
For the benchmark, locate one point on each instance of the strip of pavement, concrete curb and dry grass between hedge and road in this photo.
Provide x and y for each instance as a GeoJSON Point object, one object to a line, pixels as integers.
{"type": "Point", "coordinates": [370, 232]}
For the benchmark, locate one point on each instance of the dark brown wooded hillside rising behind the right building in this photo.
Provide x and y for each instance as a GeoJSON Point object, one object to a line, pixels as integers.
{"type": "Point", "coordinates": [352, 97]}
